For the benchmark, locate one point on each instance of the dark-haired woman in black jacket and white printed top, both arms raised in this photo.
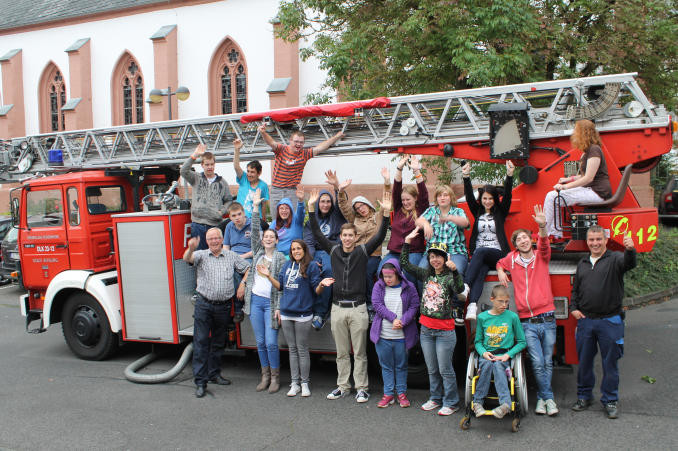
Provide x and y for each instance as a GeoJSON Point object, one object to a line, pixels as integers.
{"type": "Point", "coordinates": [488, 241]}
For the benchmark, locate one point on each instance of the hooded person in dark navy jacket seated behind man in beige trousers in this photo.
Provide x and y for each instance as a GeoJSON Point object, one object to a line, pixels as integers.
{"type": "Point", "coordinates": [330, 220]}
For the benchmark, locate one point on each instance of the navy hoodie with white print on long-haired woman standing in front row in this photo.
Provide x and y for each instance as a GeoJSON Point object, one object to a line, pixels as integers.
{"type": "Point", "coordinates": [298, 293]}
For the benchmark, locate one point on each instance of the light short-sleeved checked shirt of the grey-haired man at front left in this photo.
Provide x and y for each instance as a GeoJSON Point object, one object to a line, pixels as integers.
{"type": "Point", "coordinates": [215, 274]}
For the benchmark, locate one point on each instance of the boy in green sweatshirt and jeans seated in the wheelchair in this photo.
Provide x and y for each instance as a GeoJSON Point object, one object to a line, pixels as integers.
{"type": "Point", "coordinates": [499, 337]}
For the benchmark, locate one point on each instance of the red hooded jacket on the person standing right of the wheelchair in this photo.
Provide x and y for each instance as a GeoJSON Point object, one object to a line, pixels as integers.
{"type": "Point", "coordinates": [531, 281]}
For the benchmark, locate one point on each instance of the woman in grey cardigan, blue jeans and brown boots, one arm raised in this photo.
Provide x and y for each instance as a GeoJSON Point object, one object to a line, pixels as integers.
{"type": "Point", "coordinates": [262, 298]}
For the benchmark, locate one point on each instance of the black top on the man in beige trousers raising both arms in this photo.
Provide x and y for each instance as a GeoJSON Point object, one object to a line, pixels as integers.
{"type": "Point", "coordinates": [349, 269]}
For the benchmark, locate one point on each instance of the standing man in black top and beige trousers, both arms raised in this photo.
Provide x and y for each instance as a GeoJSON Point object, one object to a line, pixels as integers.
{"type": "Point", "coordinates": [349, 310]}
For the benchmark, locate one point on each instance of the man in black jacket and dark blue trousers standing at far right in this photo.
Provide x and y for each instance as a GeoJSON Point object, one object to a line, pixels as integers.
{"type": "Point", "coordinates": [596, 303]}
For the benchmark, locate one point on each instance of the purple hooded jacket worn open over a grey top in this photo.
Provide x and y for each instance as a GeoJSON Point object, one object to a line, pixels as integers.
{"type": "Point", "coordinates": [410, 300]}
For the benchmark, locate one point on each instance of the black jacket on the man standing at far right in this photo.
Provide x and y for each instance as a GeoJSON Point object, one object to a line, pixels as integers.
{"type": "Point", "coordinates": [598, 290]}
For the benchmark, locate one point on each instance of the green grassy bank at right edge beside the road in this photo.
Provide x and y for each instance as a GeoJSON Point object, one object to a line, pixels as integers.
{"type": "Point", "coordinates": [656, 270]}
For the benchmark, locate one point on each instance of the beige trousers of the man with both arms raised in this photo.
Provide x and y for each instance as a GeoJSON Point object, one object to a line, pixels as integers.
{"type": "Point", "coordinates": [349, 327]}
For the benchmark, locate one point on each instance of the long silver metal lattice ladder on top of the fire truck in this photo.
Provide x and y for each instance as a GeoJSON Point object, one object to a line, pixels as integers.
{"type": "Point", "coordinates": [446, 117]}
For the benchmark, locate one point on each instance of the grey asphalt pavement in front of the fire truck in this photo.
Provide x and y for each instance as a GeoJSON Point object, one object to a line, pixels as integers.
{"type": "Point", "coordinates": [49, 399]}
